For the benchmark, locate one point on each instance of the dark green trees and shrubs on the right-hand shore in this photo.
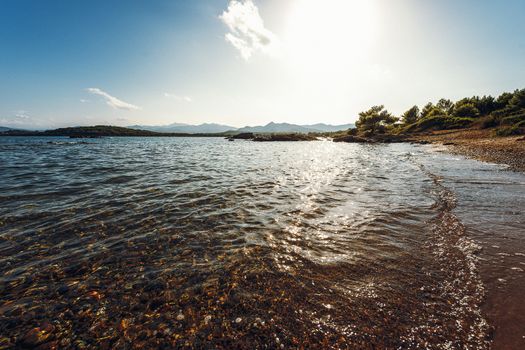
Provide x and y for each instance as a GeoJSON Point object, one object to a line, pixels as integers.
{"type": "Point", "coordinates": [504, 115]}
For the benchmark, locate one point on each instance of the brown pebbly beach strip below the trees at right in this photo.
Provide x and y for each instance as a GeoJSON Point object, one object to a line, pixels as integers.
{"type": "Point", "coordinates": [481, 145]}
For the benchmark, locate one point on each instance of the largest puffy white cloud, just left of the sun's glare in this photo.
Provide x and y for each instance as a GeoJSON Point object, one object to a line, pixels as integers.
{"type": "Point", "coordinates": [247, 31]}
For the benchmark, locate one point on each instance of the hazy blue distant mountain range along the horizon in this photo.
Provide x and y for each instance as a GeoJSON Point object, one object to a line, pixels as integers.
{"type": "Point", "coordinates": [268, 128]}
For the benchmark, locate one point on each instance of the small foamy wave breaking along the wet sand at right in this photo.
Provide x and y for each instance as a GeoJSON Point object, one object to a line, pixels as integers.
{"type": "Point", "coordinates": [461, 287]}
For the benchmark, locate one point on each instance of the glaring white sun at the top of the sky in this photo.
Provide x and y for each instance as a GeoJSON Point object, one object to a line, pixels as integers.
{"type": "Point", "coordinates": [328, 35]}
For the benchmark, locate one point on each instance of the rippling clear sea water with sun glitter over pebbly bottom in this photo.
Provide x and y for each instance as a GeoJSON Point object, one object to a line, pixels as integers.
{"type": "Point", "coordinates": [201, 243]}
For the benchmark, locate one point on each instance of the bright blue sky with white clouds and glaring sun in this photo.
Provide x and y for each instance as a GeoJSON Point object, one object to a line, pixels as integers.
{"type": "Point", "coordinates": [249, 62]}
